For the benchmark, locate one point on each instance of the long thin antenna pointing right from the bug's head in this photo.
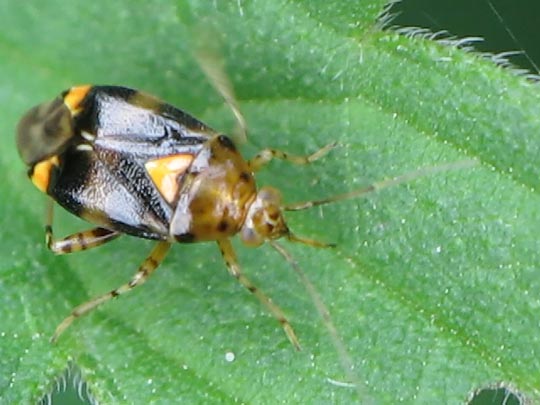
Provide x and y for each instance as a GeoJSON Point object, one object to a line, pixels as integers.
{"type": "Point", "coordinates": [423, 171]}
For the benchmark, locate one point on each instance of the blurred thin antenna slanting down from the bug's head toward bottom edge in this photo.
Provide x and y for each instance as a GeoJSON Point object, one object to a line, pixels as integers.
{"type": "Point", "coordinates": [344, 356]}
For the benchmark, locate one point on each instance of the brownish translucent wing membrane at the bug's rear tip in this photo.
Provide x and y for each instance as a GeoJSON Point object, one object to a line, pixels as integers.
{"type": "Point", "coordinates": [44, 131]}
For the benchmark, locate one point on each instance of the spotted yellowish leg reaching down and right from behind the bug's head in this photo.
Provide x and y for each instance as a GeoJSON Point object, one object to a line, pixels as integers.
{"type": "Point", "coordinates": [229, 256]}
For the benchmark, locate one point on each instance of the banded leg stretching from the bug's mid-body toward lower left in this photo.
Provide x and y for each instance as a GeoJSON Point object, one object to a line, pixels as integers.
{"type": "Point", "coordinates": [145, 270]}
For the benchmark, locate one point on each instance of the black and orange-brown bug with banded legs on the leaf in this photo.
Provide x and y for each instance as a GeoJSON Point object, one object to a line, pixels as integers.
{"type": "Point", "coordinates": [132, 164]}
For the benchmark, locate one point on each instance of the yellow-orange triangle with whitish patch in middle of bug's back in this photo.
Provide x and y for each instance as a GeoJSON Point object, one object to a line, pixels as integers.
{"type": "Point", "coordinates": [165, 172]}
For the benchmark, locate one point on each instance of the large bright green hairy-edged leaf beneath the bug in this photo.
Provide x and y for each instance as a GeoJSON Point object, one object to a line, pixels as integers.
{"type": "Point", "coordinates": [434, 286]}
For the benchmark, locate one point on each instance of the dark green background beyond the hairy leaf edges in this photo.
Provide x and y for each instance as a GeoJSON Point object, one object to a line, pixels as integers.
{"type": "Point", "coordinates": [504, 25]}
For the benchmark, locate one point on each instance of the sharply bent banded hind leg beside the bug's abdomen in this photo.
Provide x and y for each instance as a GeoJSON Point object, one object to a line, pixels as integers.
{"type": "Point", "coordinates": [78, 241]}
